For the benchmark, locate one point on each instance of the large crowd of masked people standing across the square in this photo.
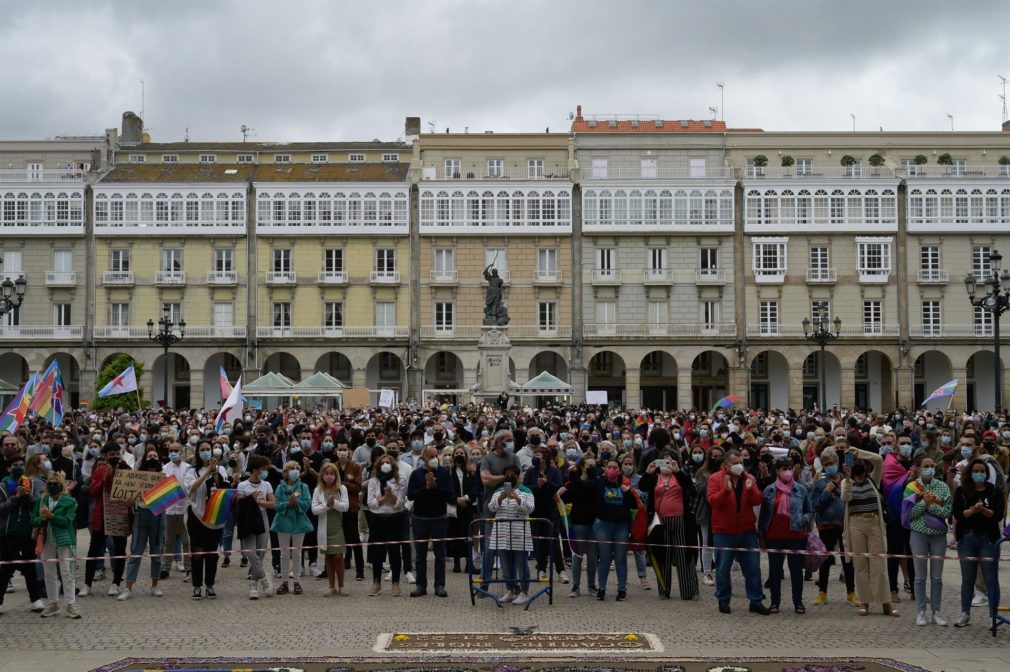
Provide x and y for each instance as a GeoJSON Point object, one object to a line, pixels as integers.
{"type": "Point", "coordinates": [492, 491]}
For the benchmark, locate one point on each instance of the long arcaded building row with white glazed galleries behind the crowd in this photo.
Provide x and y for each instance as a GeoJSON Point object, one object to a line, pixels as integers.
{"type": "Point", "coordinates": [665, 262]}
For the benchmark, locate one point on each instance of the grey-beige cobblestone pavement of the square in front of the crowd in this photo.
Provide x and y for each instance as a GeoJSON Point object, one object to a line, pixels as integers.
{"type": "Point", "coordinates": [312, 625]}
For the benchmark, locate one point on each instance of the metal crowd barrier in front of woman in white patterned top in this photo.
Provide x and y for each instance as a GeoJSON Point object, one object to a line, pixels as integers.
{"type": "Point", "coordinates": [507, 546]}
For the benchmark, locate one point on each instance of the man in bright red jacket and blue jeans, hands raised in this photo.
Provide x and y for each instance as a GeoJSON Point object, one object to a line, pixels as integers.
{"type": "Point", "coordinates": [733, 496]}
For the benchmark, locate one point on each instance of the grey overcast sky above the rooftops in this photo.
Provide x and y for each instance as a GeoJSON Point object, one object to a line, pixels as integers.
{"type": "Point", "coordinates": [297, 70]}
